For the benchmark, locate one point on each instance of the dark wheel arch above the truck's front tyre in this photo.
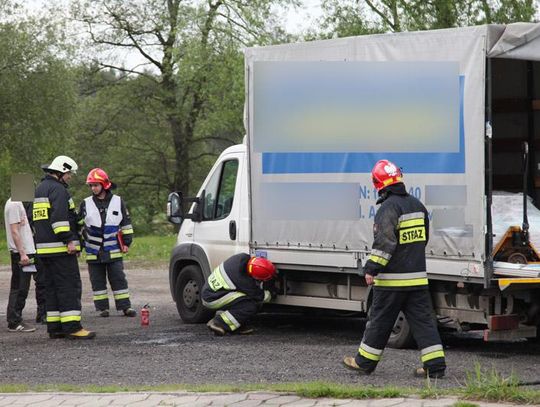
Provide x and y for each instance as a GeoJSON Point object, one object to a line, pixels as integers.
{"type": "Point", "coordinates": [183, 255]}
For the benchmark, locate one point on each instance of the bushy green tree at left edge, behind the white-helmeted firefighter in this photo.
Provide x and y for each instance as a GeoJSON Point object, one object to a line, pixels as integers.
{"type": "Point", "coordinates": [37, 94]}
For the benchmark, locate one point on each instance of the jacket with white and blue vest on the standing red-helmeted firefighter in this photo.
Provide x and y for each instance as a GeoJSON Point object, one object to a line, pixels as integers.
{"type": "Point", "coordinates": [106, 225]}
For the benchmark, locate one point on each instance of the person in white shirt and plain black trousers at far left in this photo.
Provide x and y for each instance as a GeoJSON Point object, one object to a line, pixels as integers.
{"type": "Point", "coordinates": [22, 249]}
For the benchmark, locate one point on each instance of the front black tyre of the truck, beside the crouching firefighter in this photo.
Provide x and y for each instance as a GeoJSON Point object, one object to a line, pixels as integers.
{"type": "Point", "coordinates": [188, 289]}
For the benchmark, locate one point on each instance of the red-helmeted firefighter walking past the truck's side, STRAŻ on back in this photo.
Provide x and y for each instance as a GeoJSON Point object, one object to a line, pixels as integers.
{"type": "Point", "coordinates": [396, 267]}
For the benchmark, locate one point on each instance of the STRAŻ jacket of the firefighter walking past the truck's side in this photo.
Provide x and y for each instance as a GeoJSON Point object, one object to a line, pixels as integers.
{"type": "Point", "coordinates": [401, 232]}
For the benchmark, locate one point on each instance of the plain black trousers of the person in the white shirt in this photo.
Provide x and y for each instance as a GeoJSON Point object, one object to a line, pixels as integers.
{"type": "Point", "coordinates": [19, 287]}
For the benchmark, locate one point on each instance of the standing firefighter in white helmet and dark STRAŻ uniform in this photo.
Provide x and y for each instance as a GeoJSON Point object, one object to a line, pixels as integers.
{"type": "Point", "coordinates": [57, 247]}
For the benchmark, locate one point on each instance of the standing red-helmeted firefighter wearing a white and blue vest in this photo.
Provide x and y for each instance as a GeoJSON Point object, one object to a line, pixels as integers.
{"type": "Point", "coordinates": [107, 233]}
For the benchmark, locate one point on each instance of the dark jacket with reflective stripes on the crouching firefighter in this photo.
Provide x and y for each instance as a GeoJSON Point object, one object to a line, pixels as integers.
{"type": "Point", "coordinates": [230, 281]}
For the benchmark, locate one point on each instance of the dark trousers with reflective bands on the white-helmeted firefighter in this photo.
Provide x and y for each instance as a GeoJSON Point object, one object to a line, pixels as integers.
{"type": "Point", "coordinates": [63, 293]}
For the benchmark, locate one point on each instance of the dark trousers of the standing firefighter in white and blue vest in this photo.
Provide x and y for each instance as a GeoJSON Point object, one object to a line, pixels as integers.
{"type": "Point", "coordinates": [114, 272]}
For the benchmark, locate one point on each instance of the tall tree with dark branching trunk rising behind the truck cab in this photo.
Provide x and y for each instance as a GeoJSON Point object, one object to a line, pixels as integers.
{"type": "Point", "coordinates": [190, 52]}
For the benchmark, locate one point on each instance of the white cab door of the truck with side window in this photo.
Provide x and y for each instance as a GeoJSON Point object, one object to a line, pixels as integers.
{"type": "Point", "coordinates": [218, 231]}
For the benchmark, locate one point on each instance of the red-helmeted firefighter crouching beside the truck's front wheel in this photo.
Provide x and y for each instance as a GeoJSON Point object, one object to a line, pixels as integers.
{"type": "Point", "coordinates": [235, 288]}
